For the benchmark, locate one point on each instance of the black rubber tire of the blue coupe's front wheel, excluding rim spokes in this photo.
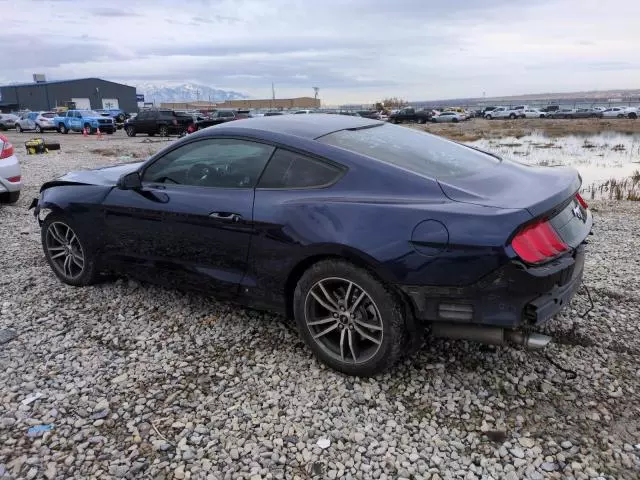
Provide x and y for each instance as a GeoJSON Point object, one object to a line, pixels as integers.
{"type": "Point", "coordinates": [86, 275]}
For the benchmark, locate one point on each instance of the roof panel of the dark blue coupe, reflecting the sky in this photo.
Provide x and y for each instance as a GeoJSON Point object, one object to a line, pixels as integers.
{"type": "Point", "coordinates": [309, 126]}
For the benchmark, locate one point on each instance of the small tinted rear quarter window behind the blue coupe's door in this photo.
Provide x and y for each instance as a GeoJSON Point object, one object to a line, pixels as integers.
{"type": "Point", "coordinates": [288, 169]}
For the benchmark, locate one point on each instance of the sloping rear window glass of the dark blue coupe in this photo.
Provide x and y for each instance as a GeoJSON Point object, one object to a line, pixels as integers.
{"type": "Point", "coordinates": [419, 152]}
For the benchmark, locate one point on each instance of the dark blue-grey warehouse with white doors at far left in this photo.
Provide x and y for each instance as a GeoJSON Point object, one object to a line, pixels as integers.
{"type": "Point", "coordinates": [86, 93]}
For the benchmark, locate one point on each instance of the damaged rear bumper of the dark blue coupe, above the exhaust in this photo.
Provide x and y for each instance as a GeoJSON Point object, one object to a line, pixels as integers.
{"type": "Point", "coordinates": [513, 296]}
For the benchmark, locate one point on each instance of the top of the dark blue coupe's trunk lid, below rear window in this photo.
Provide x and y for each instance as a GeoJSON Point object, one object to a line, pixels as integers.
{"type": "Point", "coordinates": [512, 185]}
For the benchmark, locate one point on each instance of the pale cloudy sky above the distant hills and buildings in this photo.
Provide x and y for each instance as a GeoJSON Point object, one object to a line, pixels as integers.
{"type": "Point", "coordinates": [353, 50]}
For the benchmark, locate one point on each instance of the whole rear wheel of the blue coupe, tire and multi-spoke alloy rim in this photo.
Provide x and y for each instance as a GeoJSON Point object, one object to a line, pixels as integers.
{"type": "Point", "coordinates": [350, 320]}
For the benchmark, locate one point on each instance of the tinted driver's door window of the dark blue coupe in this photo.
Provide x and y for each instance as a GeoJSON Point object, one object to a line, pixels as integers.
{"type": "Point", "coordinates": [215, 163]}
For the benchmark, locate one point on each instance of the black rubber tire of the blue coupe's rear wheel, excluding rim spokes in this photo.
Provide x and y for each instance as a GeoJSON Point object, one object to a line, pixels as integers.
{"type": "Point", "coordinates": [383, 301]}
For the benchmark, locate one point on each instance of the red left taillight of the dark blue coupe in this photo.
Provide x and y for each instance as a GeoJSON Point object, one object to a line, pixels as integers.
{"type": "Point", "coordinates": [538, 243]}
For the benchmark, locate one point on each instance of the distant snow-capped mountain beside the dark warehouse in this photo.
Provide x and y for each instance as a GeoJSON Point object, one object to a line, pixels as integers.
{"type": "Point", "coordinates": [168, 92]}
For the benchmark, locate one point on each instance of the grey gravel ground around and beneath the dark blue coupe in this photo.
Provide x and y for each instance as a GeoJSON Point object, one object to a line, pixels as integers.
{"type": "Point", "coordinates": [141, 382]}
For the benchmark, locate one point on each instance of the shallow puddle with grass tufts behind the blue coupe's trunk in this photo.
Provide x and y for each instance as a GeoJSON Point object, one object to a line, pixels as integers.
{"type": "Point", "coordinates": [598, 158]}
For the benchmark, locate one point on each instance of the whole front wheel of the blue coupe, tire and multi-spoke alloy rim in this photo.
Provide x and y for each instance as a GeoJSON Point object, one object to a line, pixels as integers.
{"type": "Point", "coordinates": [67, 254]}
